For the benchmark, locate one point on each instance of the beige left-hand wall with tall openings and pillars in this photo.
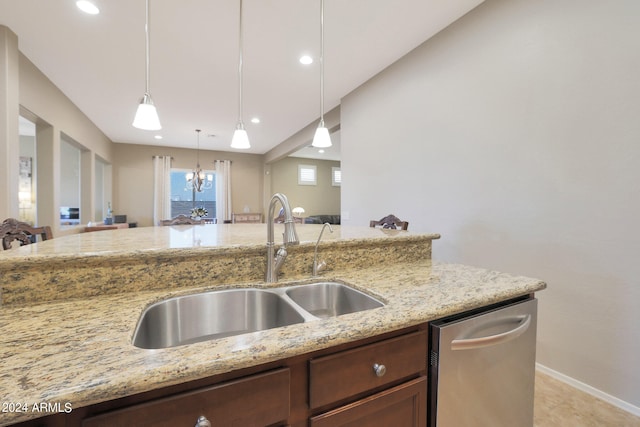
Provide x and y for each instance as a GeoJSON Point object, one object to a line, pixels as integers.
{"type": "Point", "coordinates": [54, 114]}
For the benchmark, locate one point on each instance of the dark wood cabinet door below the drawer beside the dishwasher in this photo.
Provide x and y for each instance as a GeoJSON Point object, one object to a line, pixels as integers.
{"type": "Point", "coordinates": [401, 406]}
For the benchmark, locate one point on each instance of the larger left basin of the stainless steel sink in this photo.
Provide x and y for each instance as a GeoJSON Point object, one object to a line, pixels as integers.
{"type": "Point", "coordinates": [217, 314]}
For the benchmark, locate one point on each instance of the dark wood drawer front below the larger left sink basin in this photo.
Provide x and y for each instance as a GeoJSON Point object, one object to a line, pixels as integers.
{"type": "Point", "coordinates": [258, 400]}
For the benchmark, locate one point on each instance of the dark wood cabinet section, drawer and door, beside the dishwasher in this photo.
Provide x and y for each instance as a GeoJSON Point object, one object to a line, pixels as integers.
{"type": "Point", "coordinates": [388, 379]}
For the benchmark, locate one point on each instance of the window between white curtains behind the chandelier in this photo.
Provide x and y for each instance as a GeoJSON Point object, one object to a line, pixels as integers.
{"type": "Point", "coordinates": [184, 197]}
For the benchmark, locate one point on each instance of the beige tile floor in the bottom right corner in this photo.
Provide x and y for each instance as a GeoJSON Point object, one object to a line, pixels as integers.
{"type": "Point", "coordinates": [560, 405]}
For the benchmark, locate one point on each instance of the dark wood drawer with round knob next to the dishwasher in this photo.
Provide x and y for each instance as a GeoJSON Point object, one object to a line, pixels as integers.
{"type": "Point", "coordinates": [348, 373]}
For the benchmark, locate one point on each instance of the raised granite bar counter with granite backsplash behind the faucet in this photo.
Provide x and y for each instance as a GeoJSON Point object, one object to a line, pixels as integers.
{"type": "Point", "coordinates": [109, 262]}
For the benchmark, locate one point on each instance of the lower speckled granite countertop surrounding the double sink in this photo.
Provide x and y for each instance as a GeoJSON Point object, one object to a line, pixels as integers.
{"type": "Point", "coordinates": [79, 352]}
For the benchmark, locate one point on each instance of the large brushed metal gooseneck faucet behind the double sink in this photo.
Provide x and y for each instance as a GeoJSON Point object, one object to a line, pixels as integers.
{"type": "Point", "coordinates": [289, 237]}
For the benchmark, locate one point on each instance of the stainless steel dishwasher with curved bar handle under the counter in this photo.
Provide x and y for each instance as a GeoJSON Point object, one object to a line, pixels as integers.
{"type": "Point", "coordinates": [482, 367]}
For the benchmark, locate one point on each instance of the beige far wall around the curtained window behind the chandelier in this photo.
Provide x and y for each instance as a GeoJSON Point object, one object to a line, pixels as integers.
{"type": "Point", "coordinates": [133, 178]}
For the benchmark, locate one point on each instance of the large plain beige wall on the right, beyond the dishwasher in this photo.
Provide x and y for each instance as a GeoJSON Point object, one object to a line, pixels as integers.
{"type": "Point", "coordinates": [515, 134]}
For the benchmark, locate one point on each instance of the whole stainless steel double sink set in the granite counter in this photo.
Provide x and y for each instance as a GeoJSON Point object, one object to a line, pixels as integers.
{"type": "Point", "coordinates": [216, 314]}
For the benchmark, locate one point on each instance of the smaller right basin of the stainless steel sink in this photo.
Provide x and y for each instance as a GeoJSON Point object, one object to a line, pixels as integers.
{"type": "Point", "coordinates": [331, 299]}
